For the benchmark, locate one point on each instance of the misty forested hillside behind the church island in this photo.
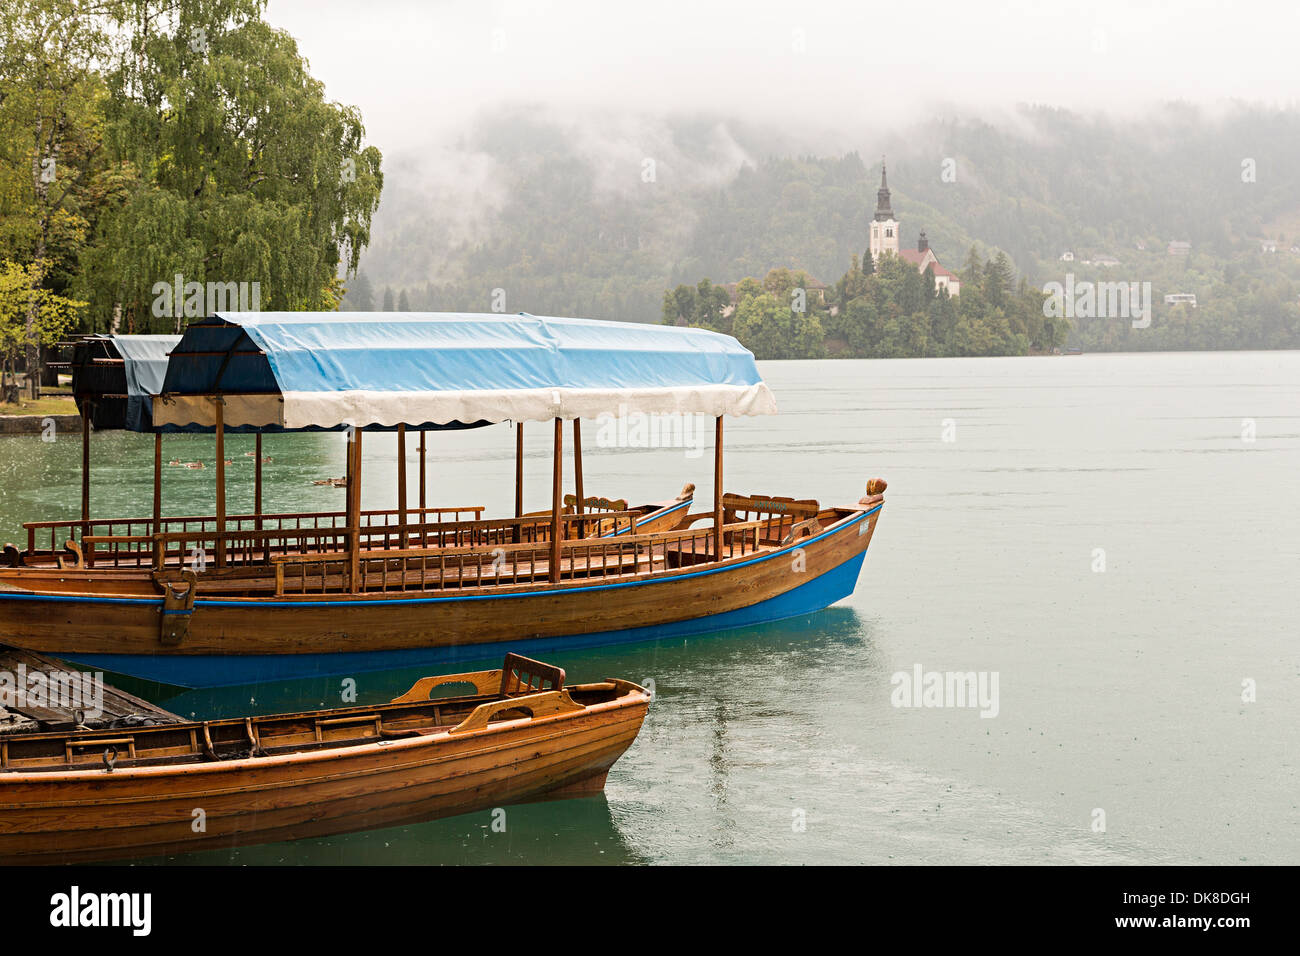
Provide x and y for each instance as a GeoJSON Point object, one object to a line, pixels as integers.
{"type": "Point", "coordinates": [565, 219]}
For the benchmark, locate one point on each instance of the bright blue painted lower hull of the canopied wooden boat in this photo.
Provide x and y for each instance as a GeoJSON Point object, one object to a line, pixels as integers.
{"type": "Point", "coordinates": [200, 672]}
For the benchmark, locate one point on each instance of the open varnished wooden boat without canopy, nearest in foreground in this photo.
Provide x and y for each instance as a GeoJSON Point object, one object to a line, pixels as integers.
{"type": "Point", "coordinates": [522, 736]}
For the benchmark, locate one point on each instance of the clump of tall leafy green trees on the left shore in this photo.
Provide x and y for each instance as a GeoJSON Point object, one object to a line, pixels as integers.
{"type": "Point", "coordinates": [142, 141]}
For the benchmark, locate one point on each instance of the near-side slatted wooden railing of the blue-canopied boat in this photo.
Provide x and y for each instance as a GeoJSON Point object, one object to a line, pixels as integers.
{"type": "Point", "coordinates": [443, 569]}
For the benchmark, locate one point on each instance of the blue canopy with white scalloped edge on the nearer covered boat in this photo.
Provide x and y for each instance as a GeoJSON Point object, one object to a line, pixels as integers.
{"type": "Point", "coordinates": [301, 370]}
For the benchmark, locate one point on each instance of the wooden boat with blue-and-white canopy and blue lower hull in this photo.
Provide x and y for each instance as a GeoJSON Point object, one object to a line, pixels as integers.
{"type": "Point", "coordinates": [289, 596]}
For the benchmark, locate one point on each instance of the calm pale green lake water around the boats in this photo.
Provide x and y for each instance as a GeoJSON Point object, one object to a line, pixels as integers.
{"type": "Point", "coordinates": [1115, 537]}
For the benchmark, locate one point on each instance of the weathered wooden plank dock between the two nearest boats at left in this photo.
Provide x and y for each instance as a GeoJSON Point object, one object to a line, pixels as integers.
{"type": "Point", "coordinates": [20, 716]}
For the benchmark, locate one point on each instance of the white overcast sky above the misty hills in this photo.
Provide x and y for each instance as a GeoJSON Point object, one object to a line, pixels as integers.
{"type": "Point", "coordinates": [421, 70]}
